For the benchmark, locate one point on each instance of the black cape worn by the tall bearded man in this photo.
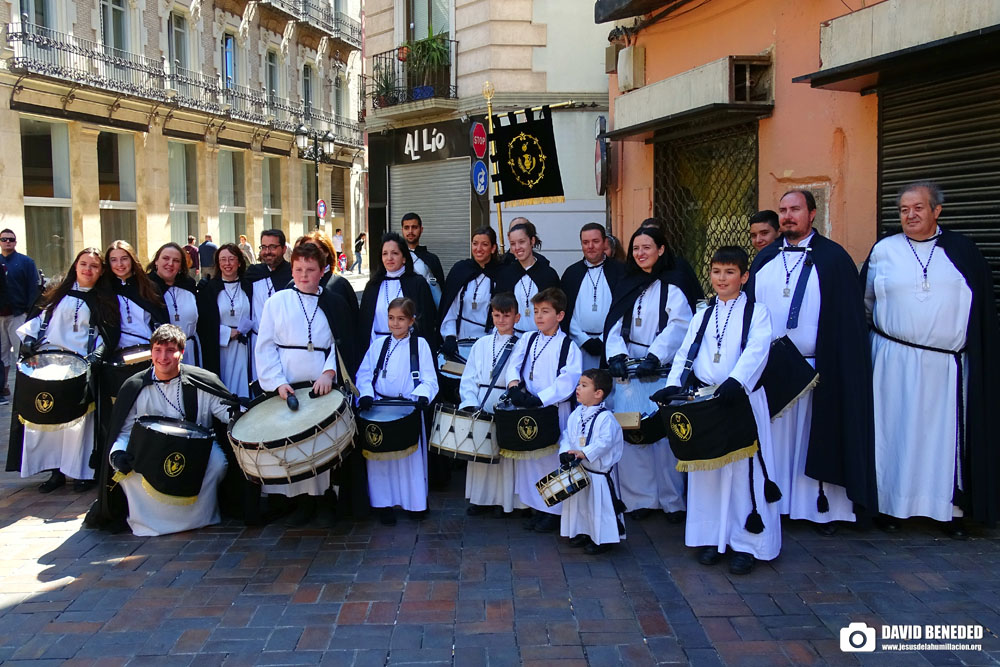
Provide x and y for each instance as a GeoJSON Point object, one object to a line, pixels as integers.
{"type": "Point", "coordinates": [842, 433]}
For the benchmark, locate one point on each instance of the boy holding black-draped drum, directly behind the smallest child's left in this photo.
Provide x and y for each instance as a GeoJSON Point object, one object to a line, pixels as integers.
{"type": "Point", "coordinates": [543, 371]}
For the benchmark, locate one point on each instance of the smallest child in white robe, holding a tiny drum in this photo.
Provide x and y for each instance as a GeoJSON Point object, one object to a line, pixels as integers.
{"type": "Point", "coordinates": [593, 437]}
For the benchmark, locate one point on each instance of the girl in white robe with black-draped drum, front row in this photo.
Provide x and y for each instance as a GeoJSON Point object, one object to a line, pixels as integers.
{"type": "Point", "coordinates": [403, 481]}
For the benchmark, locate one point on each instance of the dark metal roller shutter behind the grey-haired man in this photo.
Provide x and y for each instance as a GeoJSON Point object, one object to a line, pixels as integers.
{"type": "Point", "coordinates": [949, 132]}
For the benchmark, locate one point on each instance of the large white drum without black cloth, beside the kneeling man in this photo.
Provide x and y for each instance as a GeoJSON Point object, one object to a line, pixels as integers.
{"type": "Point", "coordinates": [276, 445]}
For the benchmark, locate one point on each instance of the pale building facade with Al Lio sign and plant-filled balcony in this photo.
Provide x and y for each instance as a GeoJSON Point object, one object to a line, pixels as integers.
{"type": "Point", "coordinates": [427, 61]}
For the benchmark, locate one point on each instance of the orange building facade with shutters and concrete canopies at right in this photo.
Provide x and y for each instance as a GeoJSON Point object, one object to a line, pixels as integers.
{"type": "Point", "coordinates": [721, 106]}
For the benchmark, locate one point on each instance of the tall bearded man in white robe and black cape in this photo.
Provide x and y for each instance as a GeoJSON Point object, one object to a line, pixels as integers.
{"type": "Point", "coordinates": [823, 452]}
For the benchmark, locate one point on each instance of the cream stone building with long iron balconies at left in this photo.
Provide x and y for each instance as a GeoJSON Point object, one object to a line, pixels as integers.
{"type": "Point", "coordinates": [152, 120]}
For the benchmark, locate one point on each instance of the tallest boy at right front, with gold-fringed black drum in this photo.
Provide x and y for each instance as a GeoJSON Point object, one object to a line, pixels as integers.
{"type": "Point", "coordinates": [734, 506]}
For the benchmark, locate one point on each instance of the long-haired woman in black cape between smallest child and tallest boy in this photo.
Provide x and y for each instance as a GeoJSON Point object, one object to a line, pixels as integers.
{"type": "Point", "coordinates": [648, 319]}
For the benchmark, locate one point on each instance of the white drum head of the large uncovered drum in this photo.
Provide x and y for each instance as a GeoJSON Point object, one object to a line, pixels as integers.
{"type": "Point", "coordinates": [272, 421]}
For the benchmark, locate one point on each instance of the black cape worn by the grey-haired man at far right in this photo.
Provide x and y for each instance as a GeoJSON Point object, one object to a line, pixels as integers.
{"type": "Point", "coordinates": [981, 458]}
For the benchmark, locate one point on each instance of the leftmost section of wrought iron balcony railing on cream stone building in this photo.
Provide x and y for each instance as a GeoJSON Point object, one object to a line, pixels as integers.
{"type": "Point", "coordinates": [46, 52]}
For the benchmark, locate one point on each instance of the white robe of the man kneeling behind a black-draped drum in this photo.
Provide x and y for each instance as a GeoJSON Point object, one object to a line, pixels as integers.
{"type": "Point", "coordinates": [147, 516]}
